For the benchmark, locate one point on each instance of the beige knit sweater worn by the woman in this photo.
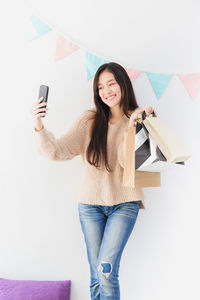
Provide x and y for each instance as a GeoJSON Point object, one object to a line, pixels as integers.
{"type": "Point", "coordinates": [98, 186]}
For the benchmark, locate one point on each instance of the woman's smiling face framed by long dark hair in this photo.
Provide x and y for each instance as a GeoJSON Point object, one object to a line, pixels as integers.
{"type": "Point", "coordinates": [109, 89]}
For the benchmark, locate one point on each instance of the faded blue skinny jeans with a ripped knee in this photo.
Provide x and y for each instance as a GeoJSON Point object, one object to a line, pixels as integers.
{"type": "Point", "coordinates": [106, 231]}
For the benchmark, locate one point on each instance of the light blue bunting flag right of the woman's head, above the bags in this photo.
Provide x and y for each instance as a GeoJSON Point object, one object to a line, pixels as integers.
{"type": "Point", "coordinates": [159, 82]}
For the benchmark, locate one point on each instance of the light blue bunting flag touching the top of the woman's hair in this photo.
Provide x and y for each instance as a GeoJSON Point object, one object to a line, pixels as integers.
{"type": "Point", "coordinates": [93, 63]}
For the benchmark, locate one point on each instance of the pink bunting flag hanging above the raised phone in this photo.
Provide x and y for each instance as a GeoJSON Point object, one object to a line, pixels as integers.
{"type": "Point", "coordinates": [64, 47]}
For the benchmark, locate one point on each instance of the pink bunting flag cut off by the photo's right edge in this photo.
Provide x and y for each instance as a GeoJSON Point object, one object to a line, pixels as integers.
{"type": "Point", "coordinates": [191, 82]}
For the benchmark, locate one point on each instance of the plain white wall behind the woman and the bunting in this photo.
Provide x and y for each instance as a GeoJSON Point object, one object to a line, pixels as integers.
{"type": "Point", "coordinates": [40, 233]}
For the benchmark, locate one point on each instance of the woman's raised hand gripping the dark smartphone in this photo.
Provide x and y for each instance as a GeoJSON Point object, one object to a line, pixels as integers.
{"type": "Point", "coordinates": [36, 114]}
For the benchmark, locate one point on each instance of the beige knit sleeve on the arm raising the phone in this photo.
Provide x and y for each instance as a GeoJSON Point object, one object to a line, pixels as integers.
{"type": "Point", "coordinates": [67, 146]}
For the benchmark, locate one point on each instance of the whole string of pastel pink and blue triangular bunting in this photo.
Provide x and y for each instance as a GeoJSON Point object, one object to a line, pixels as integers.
{"type": "Point", "coordinates": [66, 46]}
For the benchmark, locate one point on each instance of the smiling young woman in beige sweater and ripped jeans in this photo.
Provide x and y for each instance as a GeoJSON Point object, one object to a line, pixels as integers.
{"type": "Point", "coordinates": [107, 210]}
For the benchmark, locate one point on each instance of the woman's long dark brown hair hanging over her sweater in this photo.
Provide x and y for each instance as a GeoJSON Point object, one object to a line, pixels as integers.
{"type": "Point", "coordinates": [97, 148]}
